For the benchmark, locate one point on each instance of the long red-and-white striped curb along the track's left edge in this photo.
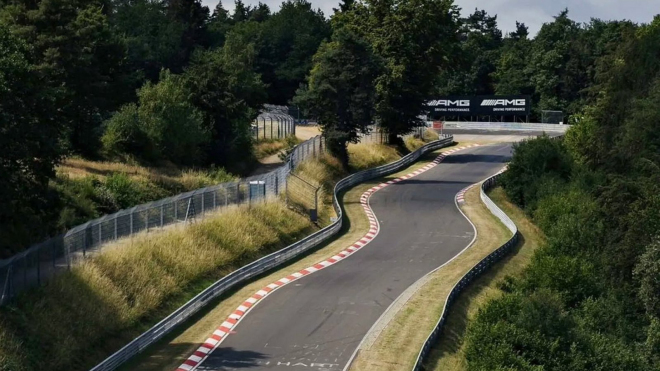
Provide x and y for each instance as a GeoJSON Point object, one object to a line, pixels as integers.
{"type": "Point", "coordinates": [232, 321]}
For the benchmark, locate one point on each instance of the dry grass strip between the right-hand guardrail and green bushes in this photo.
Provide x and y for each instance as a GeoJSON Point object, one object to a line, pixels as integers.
{"type": "Point", "coordinates": [448, 354]}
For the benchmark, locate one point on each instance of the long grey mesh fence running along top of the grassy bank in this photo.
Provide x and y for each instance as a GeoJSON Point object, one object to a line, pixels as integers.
{"type": "Point", "coordinates": [42, 261]}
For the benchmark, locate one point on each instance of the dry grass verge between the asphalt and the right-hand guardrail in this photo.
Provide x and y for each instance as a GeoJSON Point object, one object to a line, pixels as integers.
{"type": "Point", "coordinates": [398, 345]}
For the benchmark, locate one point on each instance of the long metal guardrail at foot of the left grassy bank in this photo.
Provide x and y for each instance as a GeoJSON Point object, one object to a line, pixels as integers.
{"type": "Point", "coordinates": [264, 264]}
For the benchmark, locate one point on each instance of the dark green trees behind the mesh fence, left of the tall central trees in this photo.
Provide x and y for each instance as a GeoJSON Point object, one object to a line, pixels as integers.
{"type": "Point", "coordinates": [147, 81]}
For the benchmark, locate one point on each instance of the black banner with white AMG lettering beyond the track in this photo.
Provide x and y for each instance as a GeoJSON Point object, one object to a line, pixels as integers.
{"type": "Point", "coordinates": [495, 105]}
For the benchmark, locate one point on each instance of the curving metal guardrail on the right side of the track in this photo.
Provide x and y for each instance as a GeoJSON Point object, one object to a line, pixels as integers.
{"type": "Point", "coordinates": [475, 272]}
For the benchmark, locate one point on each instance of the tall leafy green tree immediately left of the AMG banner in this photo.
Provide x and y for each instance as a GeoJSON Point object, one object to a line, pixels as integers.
{"type": "Point", "coordinates": [415, 39]}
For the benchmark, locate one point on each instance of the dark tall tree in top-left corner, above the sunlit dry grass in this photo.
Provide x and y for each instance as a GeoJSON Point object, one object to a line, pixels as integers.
{"type": "Point", "coordinates": [77, 54]}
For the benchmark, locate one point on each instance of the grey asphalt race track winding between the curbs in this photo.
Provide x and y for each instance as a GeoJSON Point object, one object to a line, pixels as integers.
{"type": "Point", "coordinates": [317, 322]}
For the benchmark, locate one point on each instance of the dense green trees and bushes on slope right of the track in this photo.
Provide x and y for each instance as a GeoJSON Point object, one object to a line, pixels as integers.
{"type": "Point", "coordinates": [590, 300]}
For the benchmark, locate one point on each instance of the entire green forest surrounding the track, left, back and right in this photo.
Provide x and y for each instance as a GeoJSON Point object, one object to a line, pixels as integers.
{"type": "Point", "coordinates": [170, 81]}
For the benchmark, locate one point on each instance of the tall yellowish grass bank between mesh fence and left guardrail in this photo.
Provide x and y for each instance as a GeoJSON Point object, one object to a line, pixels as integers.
{"type": "Point", "coordinates": [113, 296]}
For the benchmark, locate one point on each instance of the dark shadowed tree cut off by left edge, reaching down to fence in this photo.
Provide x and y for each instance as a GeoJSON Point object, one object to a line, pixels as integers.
{"type": "Point", "coordinates": [29, 143]}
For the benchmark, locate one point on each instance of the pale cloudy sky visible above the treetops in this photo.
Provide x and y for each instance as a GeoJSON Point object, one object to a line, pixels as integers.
{"type": "Point", "coordinates": [531, 12]}
